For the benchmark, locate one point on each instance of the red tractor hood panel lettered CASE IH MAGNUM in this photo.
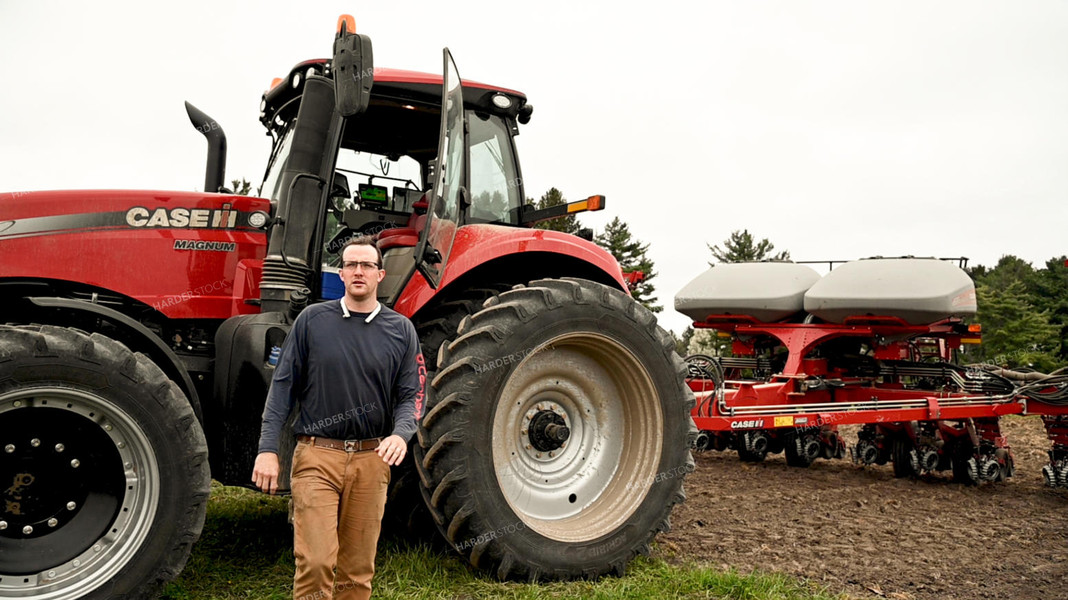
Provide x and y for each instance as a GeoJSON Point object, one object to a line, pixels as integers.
{"type": "Point", "coordinates": [178, 252]}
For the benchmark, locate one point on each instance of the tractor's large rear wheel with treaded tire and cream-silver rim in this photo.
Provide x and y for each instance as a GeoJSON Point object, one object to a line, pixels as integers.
{"type": "Point", "coordinates": [558, 433]}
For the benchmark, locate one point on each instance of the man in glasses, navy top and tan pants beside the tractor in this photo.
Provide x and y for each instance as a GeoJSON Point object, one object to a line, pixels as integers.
{"type": "Point", "coordinates": [354, 372]}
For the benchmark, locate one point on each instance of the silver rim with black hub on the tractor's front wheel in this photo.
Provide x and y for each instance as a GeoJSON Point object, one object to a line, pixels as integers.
{"type": "Point", "coordinates": [73, 449]}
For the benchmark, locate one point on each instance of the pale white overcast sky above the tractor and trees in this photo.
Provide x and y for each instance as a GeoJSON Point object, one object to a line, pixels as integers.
{"type": "Point", "coordinates": [836, 130]}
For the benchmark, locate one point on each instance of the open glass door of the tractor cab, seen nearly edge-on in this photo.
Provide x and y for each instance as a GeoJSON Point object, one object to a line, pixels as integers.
{"type": "Point", "coordinates": [449, 194]}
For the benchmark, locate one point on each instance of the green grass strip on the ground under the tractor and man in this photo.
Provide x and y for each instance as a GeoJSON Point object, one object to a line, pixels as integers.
{"type": "Point", "coordinates": [246, 552]}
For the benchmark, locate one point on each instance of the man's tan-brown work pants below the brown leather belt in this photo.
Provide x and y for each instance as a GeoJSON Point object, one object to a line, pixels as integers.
{"type": "Point", "coordinates": [338, 504]}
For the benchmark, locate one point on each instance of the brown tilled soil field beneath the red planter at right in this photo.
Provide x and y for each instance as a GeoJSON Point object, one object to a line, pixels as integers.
{"type": "Point", "coordinates": [861, 532]}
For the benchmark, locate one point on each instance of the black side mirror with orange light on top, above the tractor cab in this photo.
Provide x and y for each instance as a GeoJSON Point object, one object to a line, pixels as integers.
{"type": "Point", "coordinates": [354, 69]}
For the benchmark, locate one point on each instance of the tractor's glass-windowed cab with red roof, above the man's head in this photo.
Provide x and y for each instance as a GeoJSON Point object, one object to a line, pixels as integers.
{"type": "Point", "coordinates": [387, 164]}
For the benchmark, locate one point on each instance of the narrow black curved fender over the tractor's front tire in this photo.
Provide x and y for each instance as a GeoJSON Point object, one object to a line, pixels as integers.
{"type": "Point", "coordinates": [147, 342]}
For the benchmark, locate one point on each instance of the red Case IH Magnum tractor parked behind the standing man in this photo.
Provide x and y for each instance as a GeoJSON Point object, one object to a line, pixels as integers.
{"type": "Point", "coordinates": [144, 325]}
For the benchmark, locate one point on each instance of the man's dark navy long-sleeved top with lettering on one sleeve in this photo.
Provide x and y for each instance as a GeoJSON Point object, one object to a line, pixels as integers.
{"type": "Point", "coordinates": [349, 378]}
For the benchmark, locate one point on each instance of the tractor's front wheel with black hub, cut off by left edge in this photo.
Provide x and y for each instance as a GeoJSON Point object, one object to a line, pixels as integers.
{"type": "Point", "coordinates": [104, 475]}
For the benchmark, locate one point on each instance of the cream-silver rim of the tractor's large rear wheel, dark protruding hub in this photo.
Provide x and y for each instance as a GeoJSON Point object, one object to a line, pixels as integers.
{"type": "Point", "coordinates": [596, 480]}
